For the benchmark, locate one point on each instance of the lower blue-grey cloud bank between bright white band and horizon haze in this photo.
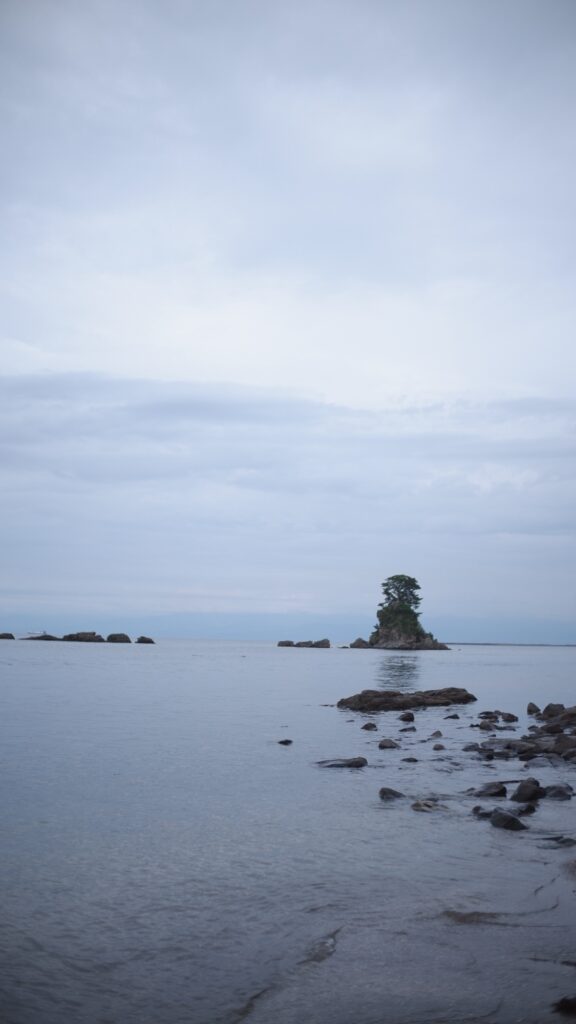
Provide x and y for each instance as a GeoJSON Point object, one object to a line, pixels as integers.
{"type": "Point", "coordinates": [171, 499]}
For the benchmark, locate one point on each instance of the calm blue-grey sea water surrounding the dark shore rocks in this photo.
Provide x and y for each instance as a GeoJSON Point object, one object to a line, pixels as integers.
{"type": "Point", "coordinates": [166, 862]}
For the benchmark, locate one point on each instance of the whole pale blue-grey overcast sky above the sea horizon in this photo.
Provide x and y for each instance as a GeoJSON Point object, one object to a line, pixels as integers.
{"type": "Point", "coordinates": [289, 307]}
